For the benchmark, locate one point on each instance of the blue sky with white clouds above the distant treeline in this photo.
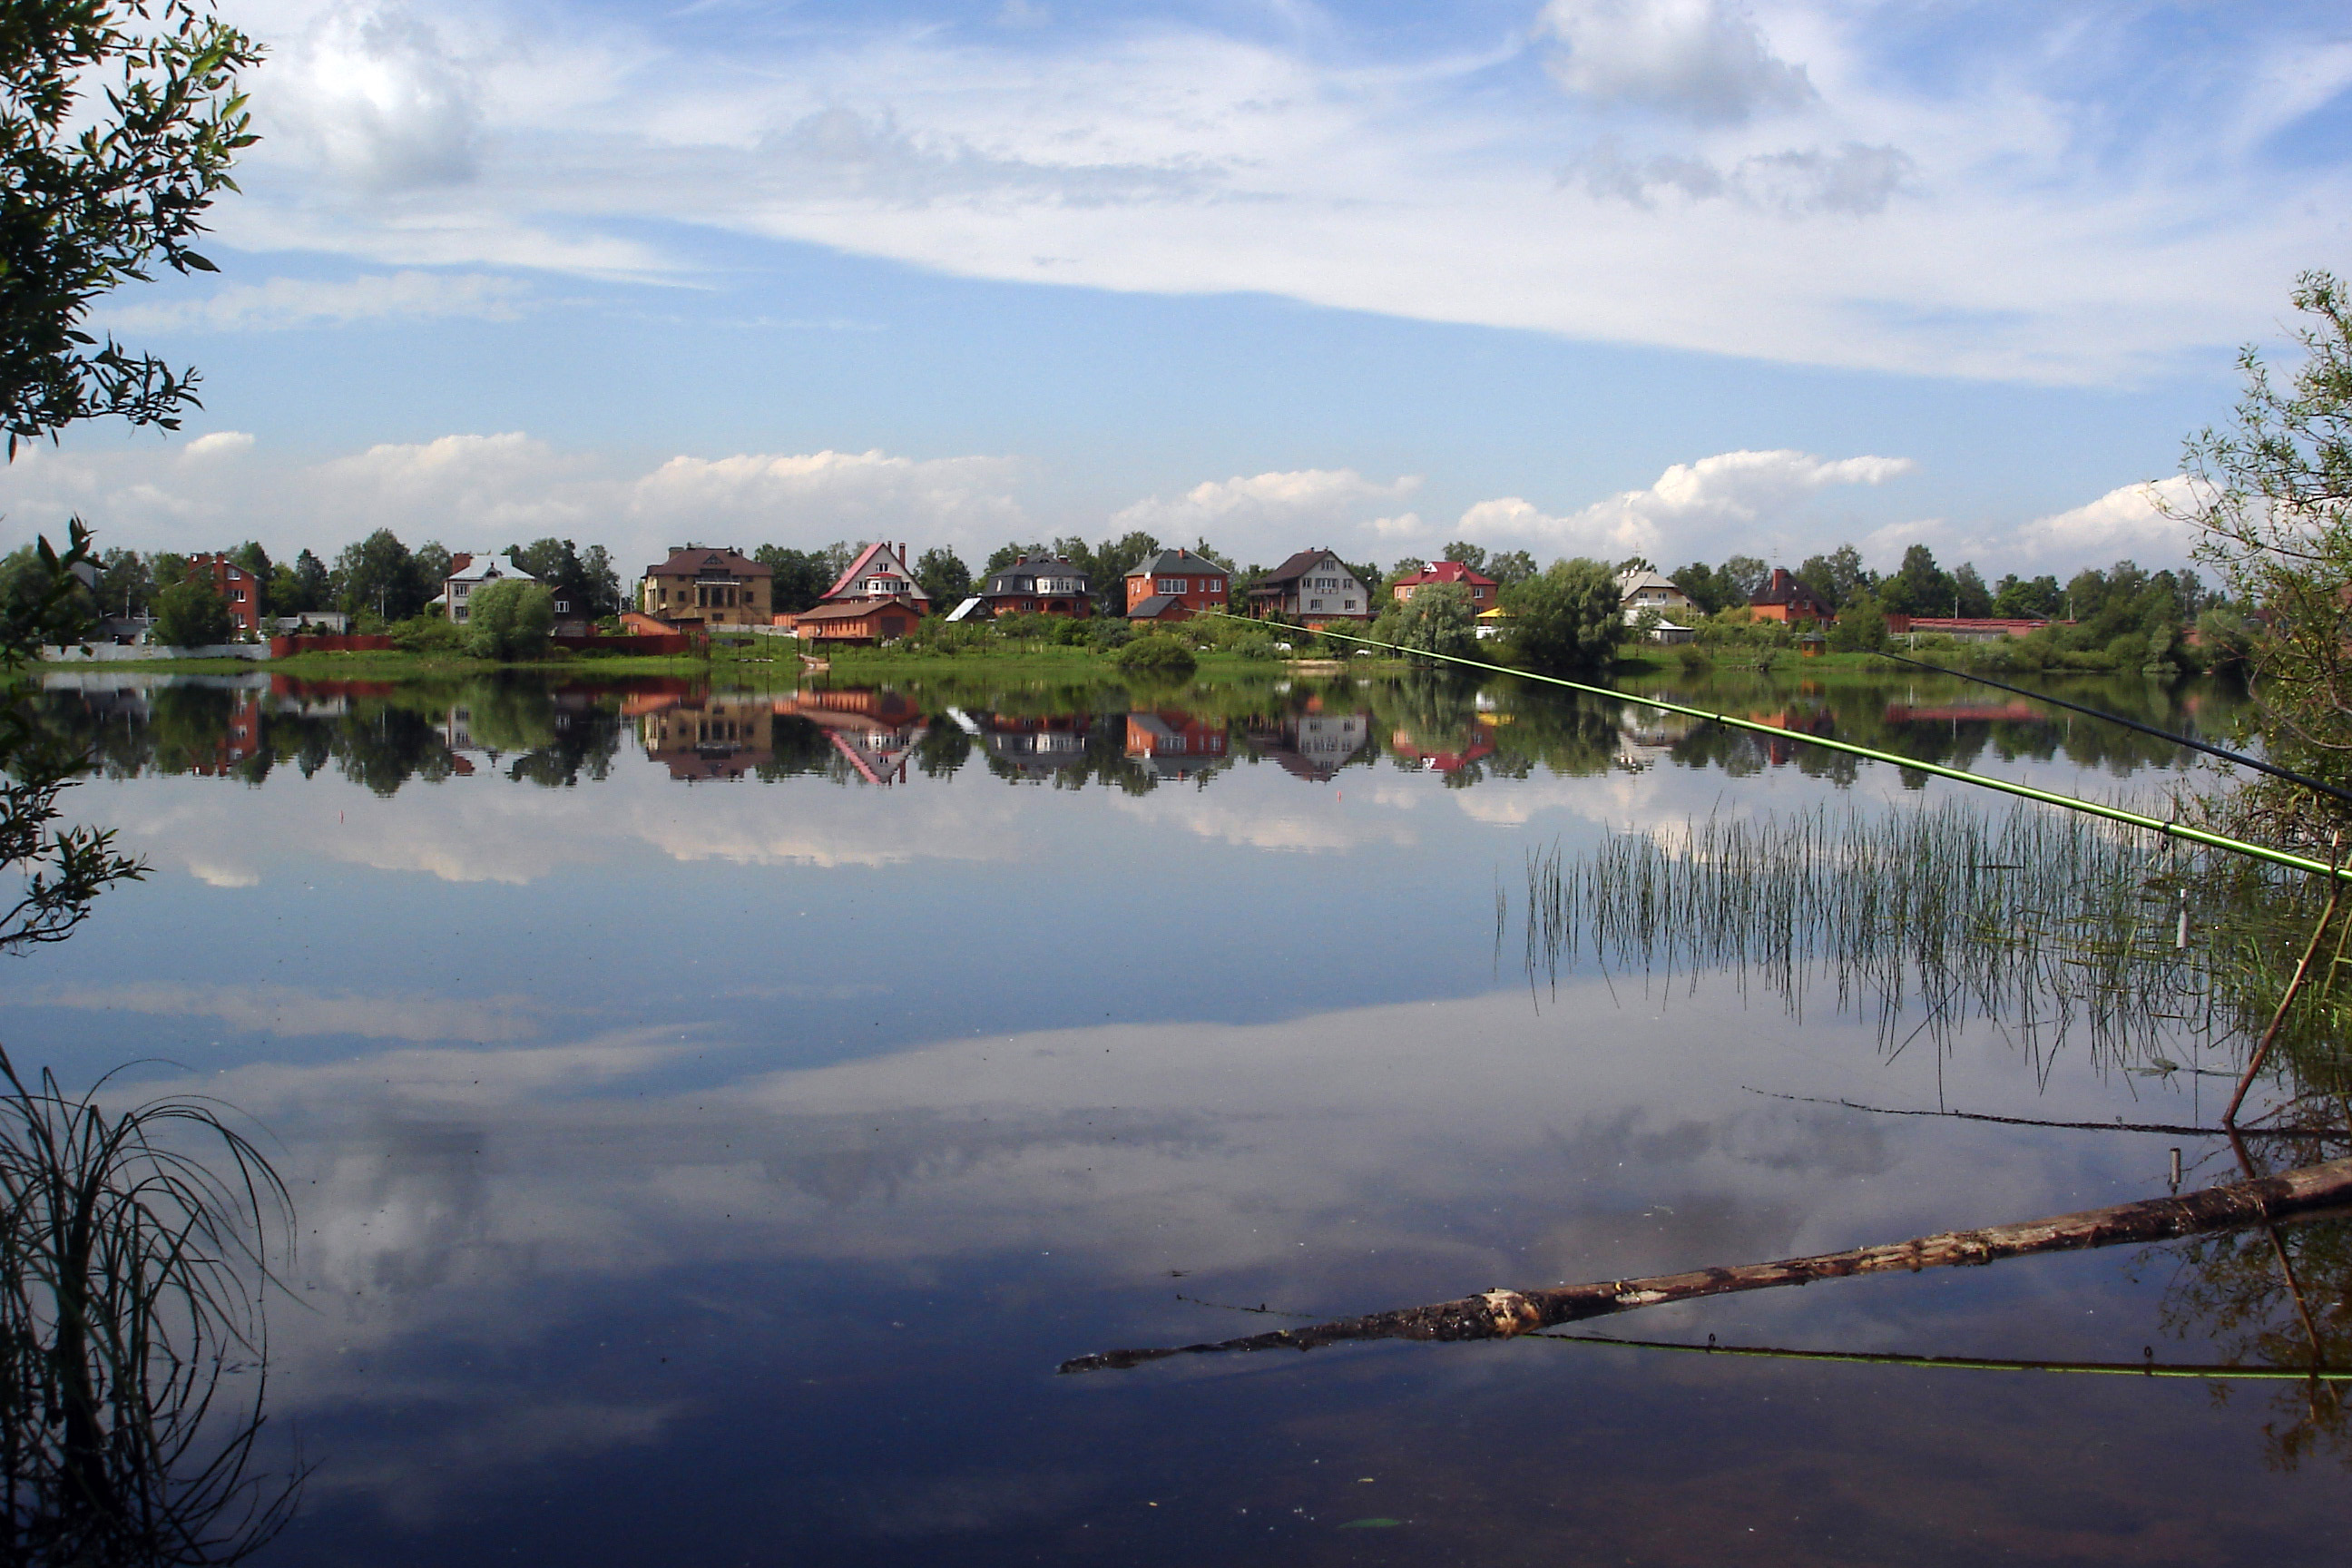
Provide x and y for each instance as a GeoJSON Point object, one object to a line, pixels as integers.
{"type": "Point", "coordinates": [1577, 276]}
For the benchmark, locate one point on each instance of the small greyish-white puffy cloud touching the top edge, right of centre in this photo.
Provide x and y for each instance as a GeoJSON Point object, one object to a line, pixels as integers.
{"type": "Point", "coordinates": [1704, 60]}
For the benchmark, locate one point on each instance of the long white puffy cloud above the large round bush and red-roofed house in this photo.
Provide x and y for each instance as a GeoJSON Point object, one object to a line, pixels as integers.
{"type": "Point", "coordinates": [1732, 488]}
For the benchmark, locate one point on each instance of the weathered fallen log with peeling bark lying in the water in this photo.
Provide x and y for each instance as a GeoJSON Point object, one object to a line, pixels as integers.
{"type": "Point", "coordinates": [1497, 1315]}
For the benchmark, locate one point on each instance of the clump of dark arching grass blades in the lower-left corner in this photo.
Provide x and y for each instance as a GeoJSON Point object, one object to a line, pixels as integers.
{"type": "Point", "coordinates": [133, 1334]}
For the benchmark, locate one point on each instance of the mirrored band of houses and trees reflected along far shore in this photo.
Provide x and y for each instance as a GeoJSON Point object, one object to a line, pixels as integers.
{"type": "Point", "coordinates": [556, 732]}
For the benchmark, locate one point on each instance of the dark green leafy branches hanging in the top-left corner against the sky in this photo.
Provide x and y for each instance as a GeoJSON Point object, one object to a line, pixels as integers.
{"type": "Point", "coordinates": [119, 126]}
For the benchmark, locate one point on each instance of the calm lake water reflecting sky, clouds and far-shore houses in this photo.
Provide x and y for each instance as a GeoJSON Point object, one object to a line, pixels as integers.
{"type": "Point", "coordinates": [716, 1113]}
